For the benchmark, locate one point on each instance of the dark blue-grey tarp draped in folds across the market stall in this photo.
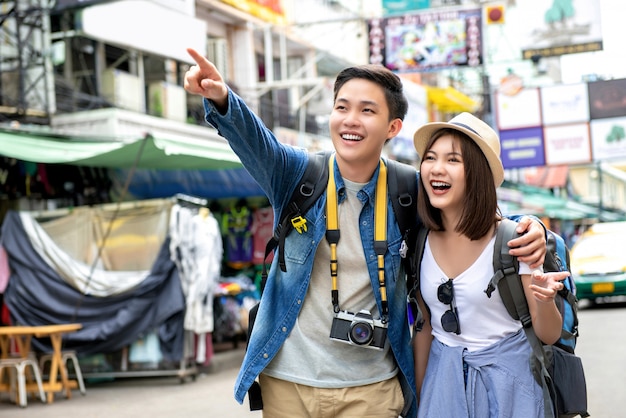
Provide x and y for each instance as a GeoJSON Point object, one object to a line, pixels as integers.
{"type": "Point", "coordinates": [37, 295]}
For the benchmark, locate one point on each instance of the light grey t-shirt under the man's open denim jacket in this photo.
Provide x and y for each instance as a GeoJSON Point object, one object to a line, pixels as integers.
{"type": "Point", "coordinates": [309, 356]}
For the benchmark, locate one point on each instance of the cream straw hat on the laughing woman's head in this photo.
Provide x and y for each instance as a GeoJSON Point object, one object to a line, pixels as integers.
{"type": "Point", "coordinates": [485, 137]}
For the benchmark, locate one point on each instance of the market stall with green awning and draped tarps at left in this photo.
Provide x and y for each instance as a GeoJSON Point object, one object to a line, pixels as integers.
{"type": "Point", "coordinates": [138, 274]}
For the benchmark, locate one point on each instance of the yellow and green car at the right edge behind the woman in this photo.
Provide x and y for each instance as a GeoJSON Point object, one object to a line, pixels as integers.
{"type": "Point", "coordinates": [598, 261]}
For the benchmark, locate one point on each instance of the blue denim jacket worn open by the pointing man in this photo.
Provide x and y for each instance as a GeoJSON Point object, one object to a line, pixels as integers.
{"type": "Point", "coordinates": [277, 168]}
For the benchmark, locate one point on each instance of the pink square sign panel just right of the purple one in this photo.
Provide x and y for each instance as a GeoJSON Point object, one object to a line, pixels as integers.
{"type": "Point", "coordinates": [567, 144]}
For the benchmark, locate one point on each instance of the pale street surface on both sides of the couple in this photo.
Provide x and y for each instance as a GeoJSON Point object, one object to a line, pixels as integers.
{"type": "Point", "coordinates": [601, 346]}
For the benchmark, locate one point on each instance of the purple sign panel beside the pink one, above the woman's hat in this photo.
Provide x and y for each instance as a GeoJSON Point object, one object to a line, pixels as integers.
{"type": "Point", "coordinates": [522, 148]}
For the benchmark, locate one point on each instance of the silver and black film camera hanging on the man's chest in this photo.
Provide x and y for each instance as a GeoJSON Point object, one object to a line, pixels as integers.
{"type": "Point", "coordinates": [359, 329]}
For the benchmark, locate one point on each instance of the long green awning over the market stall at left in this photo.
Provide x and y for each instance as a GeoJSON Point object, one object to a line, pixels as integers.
{"type": "Point", "coordinates": [155, 153]}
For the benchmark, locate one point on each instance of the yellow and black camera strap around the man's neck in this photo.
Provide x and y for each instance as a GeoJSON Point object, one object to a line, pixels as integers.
{"type": "Point", "coordinates": [380, 232]}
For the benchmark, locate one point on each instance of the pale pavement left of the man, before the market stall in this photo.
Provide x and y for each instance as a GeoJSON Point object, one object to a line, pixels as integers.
{"type": "Point", "coordinates": [209, 395]}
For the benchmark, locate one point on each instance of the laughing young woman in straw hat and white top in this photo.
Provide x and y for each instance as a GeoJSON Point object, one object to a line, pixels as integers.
{"type": "Point", "coordinates": [471, 357]}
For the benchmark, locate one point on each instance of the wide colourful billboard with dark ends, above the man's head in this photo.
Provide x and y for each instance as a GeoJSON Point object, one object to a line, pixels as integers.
{"type": "Point", "coordinates": [427, 41]}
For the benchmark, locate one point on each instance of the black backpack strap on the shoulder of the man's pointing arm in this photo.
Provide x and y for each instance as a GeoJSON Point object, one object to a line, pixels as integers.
{"type": "Point", "coordinates": [310, 187]}
